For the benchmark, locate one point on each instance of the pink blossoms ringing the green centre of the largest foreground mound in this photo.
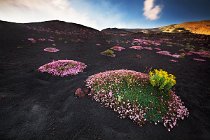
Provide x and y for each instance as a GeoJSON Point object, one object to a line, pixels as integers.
{"type": "Point", "coordinates": [105, 86]}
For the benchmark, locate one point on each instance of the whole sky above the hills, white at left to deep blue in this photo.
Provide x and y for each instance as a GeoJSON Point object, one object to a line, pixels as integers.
{"type": "Point", "coordinates": [101, 14]}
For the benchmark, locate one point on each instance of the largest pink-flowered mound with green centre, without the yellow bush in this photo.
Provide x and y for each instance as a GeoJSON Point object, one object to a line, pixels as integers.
{"type": "Point", "coordinates": [132, 95]}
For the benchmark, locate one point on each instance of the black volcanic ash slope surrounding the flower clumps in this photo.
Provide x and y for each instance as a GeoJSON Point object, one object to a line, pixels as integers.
{"type": "Point", "coordinates": [36, 105]}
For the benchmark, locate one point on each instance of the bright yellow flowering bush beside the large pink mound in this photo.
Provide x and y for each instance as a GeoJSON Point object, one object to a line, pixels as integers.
{"type": "Point", "coordinates": [161, 79]}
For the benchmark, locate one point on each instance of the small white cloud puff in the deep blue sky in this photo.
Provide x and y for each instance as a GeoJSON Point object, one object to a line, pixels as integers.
{"type": "Point", "coordinates": [151, 11]}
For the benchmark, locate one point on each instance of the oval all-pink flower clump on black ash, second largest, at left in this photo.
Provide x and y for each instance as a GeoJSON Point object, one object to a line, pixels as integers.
{"type": "Point", "coordinates": [63, 67]}
